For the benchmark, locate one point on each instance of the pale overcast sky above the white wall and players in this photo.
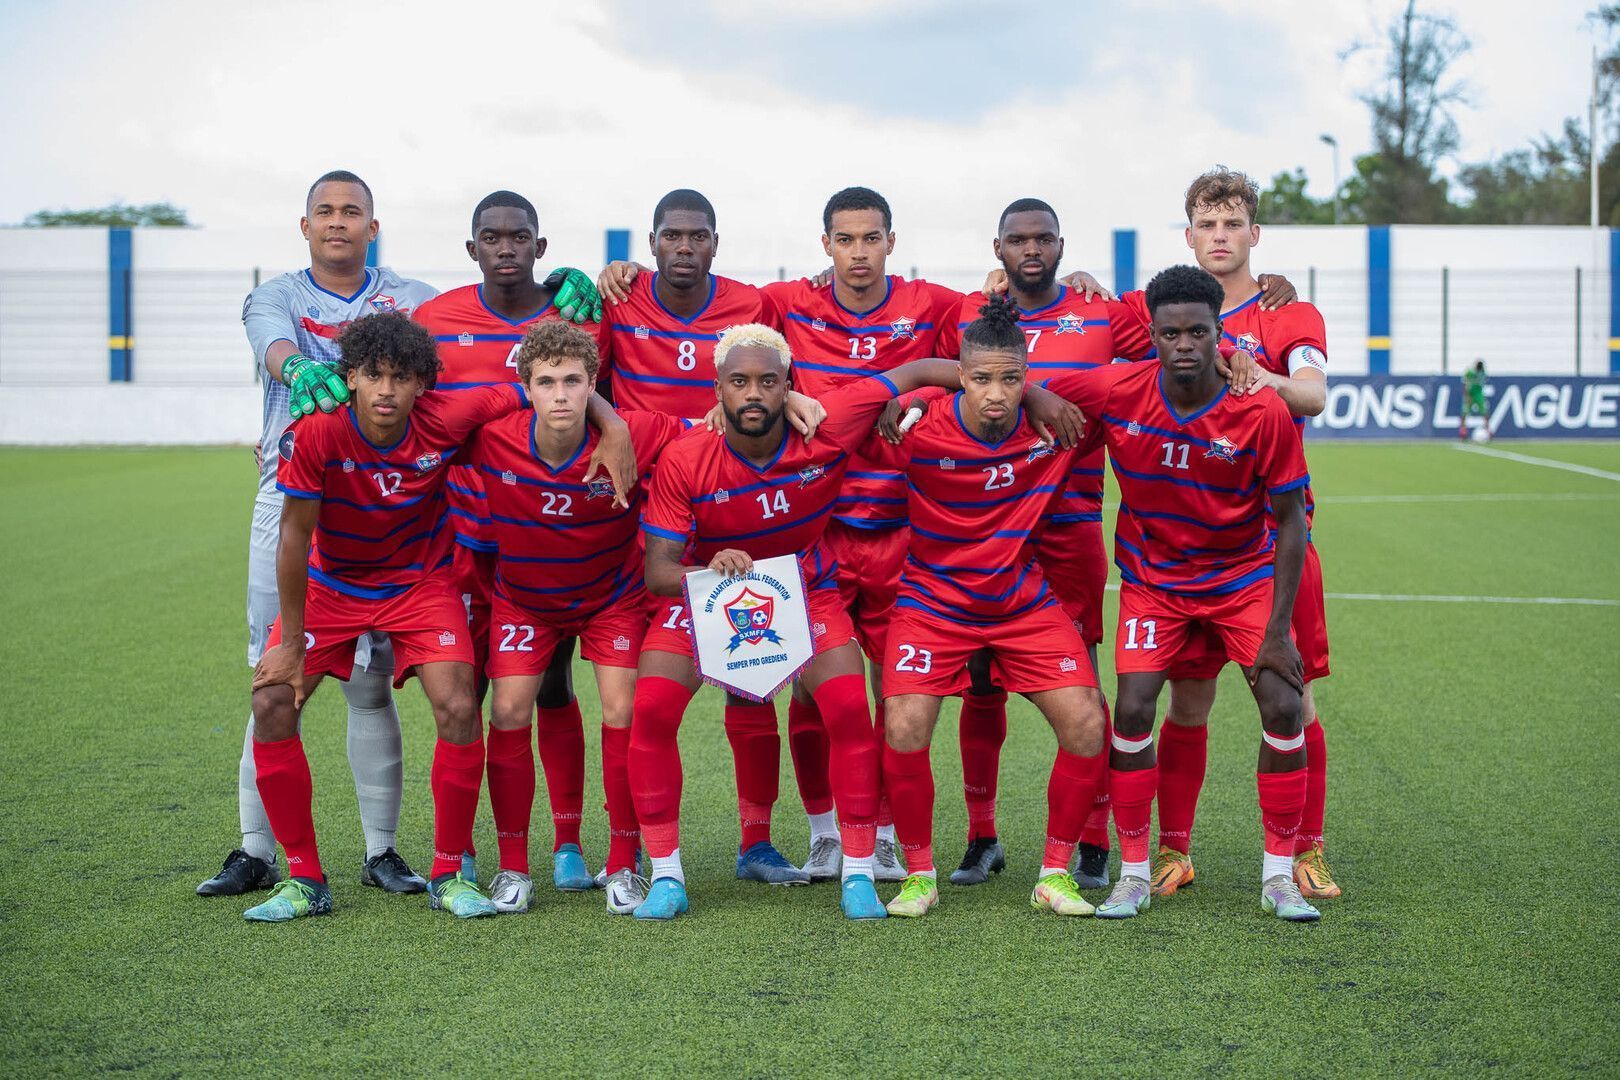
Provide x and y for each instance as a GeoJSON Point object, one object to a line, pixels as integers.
{"type": "Point", "coordinates": [594, 111]}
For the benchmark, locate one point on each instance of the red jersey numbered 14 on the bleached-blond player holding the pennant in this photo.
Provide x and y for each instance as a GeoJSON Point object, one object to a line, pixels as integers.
{"type": "Point", "coordinates": [707, 493]}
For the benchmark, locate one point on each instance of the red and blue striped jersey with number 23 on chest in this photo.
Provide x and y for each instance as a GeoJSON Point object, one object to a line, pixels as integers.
{"type": "Point", "coordinates": [974, 508]}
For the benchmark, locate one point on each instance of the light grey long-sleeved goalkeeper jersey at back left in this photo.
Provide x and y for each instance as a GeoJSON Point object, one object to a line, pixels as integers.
{"type": "Point", "coordinates": [292, 308]}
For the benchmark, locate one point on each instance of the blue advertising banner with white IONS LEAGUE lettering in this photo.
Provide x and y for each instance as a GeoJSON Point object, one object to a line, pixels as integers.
{"type": "Point", "coordinates": [1431, 407]}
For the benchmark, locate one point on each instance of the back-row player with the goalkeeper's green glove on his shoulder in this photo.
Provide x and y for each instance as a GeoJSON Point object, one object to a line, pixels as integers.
{"type": "Point", "coordinates": [479, 331]}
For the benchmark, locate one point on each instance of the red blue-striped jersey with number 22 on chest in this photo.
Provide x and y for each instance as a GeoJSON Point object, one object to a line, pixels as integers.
{"type": "Point", "coordinates": [566, 551]}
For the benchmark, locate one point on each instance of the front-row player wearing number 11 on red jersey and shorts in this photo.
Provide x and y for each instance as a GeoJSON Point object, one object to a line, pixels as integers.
{"type": "Point", "coordinates": [1198, 469]}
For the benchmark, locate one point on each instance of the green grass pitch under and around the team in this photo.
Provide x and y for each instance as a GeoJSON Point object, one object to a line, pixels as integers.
{"type": "Point", "coordinates": [1472, 822]}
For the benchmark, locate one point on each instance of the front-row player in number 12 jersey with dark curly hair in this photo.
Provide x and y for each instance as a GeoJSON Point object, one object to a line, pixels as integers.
{"type": "Point", "coordinates": [365, 548]}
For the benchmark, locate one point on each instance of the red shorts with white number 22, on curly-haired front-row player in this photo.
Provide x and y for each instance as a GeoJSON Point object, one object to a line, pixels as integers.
{"type": "Point", "coordinates": [522, 644]}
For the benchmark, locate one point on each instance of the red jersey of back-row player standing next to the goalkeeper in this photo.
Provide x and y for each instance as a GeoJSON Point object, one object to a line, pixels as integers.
{"type": "Point", "coordinates": [477, 349]}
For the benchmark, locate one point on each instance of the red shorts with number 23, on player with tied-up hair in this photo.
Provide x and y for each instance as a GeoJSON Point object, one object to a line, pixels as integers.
{"type": "Point", "coordinates": [1034, 652]}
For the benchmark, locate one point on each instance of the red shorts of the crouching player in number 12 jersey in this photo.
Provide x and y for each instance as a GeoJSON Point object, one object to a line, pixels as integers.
{"type": "Point", "coordinates": [427, 624]}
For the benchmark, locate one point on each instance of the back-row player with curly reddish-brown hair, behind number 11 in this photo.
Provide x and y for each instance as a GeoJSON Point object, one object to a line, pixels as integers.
{"type": "Point", "coordinates": [1290, 351]}
